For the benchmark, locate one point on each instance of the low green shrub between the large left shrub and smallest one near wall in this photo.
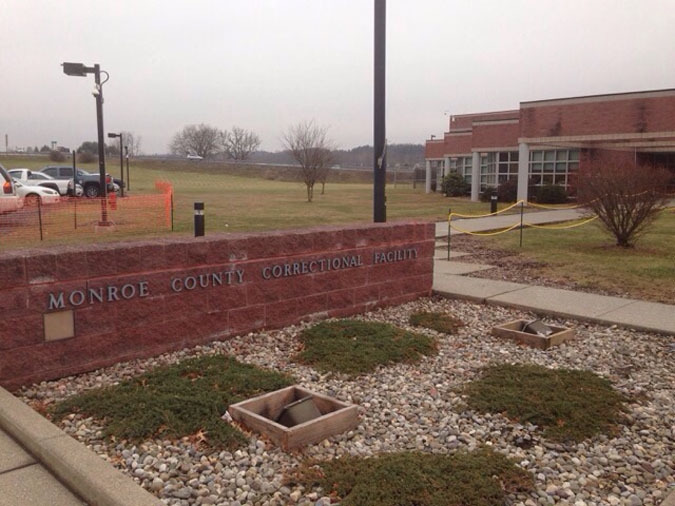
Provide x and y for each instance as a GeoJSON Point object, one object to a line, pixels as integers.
{"type": "Point", "coordinates": [356, 347]}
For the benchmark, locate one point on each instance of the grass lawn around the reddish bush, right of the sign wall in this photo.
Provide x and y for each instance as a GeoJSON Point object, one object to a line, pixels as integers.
{"type": "Point", "coordinates": [589, 257]}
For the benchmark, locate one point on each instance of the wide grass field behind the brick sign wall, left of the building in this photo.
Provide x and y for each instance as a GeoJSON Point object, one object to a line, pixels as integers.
{"type": "Point", "coordinates": [244, 204]}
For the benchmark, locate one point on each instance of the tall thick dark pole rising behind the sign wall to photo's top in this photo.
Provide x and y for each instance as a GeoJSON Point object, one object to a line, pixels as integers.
{"type": "Point", "coordinates": [379, 141]}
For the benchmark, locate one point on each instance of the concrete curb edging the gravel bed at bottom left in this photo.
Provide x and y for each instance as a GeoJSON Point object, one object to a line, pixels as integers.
{"type": "Point", "coordinates": [86, 474]}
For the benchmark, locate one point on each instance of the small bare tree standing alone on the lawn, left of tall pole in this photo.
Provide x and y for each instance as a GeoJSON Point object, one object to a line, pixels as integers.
{"type": "Point", "coordinates": [308, 144]}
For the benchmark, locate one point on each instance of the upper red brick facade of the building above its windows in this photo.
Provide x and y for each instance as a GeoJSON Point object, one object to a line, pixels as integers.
{"type": "Point", "coordinates": [618, 118]}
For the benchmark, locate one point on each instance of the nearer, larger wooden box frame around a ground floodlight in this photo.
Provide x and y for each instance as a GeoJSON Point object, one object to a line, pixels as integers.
{"type": "Point", "coordinates": [259, 414]}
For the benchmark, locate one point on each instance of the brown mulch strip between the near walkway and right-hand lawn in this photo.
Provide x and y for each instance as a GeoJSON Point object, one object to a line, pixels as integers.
{"type": "Point", "coordinates": [511, 266]}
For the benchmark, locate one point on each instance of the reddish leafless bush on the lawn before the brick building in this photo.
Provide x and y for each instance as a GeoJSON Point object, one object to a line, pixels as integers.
{"type": "Point", "coordinates": [626, 197]}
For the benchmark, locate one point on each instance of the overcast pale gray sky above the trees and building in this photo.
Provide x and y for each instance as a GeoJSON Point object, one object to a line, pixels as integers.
{"type": "Point", "coordinates": [263, 64]}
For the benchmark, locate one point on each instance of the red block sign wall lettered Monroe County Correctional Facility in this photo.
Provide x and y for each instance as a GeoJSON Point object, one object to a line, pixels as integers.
{"type": "Point", "coordinates": [72, 309]}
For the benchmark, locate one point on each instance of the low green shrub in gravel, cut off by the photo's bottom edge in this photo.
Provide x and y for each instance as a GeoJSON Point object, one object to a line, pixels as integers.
{"type": "Point", "coordinates": [479, 478]}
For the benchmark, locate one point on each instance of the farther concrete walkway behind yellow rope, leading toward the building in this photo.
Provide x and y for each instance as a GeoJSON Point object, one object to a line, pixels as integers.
{"type": "Point", "coordinates": [506, 220]}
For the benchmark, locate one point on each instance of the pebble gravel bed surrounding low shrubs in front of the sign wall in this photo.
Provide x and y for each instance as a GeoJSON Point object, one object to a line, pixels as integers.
{"type": "Point", "coordinates": [418, 407]}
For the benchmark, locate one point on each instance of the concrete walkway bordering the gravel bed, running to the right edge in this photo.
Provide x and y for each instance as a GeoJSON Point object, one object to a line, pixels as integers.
{"type": "Point", "coordinates": [629, 313]}
